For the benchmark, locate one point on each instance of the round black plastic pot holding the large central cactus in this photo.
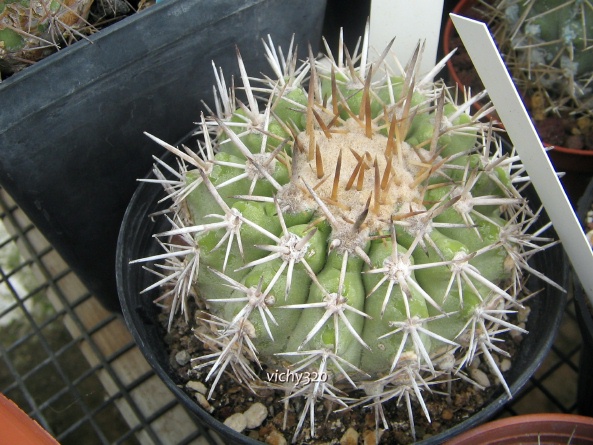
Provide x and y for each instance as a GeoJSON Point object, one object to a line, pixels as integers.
{"type": "Point", "coordinates": [136, 241]}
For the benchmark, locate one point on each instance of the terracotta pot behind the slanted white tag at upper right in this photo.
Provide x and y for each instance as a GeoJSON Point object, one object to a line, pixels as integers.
{"type": "Point", "coordinates": [577, 164]}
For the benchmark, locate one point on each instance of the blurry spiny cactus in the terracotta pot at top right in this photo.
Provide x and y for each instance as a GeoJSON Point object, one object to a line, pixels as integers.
{"type": "Point", "coordinates": [547, 46]}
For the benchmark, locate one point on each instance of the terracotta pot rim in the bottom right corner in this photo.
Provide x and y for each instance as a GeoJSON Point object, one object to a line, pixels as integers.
{"type": "Point", "coordinates": [552, 429]}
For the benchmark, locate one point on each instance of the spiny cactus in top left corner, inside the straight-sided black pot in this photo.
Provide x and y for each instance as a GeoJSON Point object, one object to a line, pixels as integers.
{"type": "Point", "coordinates": [33, 29]}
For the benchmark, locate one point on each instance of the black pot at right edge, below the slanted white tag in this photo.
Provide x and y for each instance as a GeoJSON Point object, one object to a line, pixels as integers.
{"type": "Point", "coordinates": [585, 320]}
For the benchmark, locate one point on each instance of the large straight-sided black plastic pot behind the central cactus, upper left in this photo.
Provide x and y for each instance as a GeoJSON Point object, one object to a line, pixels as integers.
{"type": "Point", "coordinates": [71, 142]}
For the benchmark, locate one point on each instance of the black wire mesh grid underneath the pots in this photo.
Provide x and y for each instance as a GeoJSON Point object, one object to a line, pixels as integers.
{"type": "Point", "coordinates": [74, 367]}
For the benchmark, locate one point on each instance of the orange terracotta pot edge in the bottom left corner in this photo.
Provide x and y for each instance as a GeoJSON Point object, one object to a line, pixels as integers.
{"type": "Point", "coordinates": [18, 428]}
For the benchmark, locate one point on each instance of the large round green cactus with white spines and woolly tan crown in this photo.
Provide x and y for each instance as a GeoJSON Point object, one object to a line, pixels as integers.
{"type": "Point", "coordinates": [347, 222]}
